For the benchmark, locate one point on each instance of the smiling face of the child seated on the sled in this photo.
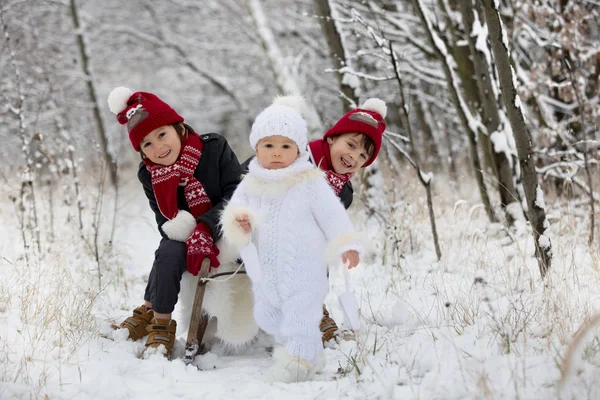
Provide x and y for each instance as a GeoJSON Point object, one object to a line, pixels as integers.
{"type": "Point", "coordinates": [162, 145]}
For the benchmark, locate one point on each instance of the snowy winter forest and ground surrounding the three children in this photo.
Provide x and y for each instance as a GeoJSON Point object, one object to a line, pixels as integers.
{"type": "Point", "coordinates": [483, 205]}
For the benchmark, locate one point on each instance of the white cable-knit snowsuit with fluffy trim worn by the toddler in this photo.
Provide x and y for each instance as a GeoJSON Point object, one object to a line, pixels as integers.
{"type": "Point", "coordinates": [298, 226]}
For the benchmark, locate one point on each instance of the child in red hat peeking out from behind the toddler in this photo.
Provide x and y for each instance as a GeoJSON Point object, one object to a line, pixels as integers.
{"type": "Point", "coordinates": [351, 144]}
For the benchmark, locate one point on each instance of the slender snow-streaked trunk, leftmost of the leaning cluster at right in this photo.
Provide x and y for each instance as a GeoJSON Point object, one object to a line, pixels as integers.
{"type": "Point", "coordinates": [466, 120]}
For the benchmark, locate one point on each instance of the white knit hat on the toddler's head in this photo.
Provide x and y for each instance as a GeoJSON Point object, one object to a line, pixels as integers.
{"type": "Point", "coordinates": [283, 118]}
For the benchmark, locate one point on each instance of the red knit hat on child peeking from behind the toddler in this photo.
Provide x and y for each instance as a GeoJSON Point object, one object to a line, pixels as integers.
{"type": "Point", "coordinates": [369, 120]}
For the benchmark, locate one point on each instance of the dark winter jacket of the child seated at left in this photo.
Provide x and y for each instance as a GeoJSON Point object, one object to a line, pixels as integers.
{"type": "Point", "coordinates": [218, 171]}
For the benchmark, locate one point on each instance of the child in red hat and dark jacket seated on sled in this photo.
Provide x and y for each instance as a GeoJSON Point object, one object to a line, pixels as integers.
{"type": "Point", "coordinates": [187, 179]}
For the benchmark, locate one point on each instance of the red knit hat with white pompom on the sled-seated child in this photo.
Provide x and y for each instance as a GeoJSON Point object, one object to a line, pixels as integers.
{"type": "Point", "coordinates": [142, 113]}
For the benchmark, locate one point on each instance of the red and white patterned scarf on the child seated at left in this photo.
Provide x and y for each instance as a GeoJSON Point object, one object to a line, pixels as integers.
{"type": "Point", "coordinates": [166, 180]}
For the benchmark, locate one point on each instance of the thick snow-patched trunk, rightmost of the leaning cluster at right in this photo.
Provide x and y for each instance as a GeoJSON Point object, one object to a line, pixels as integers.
{"type": "Point", "coordinates": [533, 192]}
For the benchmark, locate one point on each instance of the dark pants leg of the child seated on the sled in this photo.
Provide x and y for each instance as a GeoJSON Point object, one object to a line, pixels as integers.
{"type": "Point", "coordinates": [164, 281]}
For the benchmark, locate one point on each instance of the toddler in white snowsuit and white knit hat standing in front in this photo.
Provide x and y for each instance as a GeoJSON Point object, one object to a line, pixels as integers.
{"type": "Point", "coordinates": [286, 208]}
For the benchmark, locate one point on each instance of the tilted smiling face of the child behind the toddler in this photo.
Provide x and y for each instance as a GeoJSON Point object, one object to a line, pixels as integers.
{"type": "Point", "coordinates": [348, 153]}
